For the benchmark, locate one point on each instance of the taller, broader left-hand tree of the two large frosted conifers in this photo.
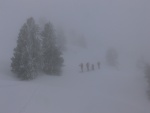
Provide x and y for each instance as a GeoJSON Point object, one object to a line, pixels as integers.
{"type": "Point", "coordinates": [25, 62]}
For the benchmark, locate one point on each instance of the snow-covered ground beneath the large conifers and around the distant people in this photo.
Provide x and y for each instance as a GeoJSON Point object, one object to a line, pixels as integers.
{"type": "Point", "coordinates": [108, 90]}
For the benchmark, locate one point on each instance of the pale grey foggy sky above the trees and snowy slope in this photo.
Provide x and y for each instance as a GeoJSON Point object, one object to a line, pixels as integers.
{"type": "Point", "coordinates": [120, 23]}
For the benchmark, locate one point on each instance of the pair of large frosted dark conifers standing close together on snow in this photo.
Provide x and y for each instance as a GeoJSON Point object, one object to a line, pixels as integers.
{"type": "Point", "coordinates": [36, 51]}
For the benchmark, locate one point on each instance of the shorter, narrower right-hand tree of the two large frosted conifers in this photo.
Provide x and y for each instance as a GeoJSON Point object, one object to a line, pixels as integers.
{"type": "Point", "coordinates": [51, 54]}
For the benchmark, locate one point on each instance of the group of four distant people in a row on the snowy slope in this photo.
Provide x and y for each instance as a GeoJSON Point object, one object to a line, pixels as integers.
{"type": "Point", "coordinates": [88, 66]}
